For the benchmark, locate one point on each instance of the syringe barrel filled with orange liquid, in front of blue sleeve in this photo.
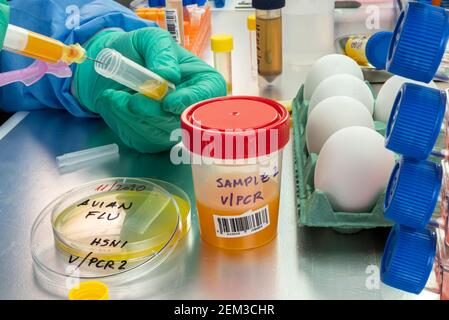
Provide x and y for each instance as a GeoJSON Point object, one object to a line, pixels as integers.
{"type": "Point", "coordinates": [36, 46]}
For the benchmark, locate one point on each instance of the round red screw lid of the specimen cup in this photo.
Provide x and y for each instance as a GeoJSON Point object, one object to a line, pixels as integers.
{"type": "Point", "coordinates": [236, 127]}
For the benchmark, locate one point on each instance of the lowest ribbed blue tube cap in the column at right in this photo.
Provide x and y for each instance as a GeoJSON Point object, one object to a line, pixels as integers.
{"type": "Point", "coordinates": [408, 258]}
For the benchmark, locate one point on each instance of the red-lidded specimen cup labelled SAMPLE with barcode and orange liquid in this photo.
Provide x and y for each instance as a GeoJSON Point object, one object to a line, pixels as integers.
{"type": "Point", "coordinates": [236, 148]}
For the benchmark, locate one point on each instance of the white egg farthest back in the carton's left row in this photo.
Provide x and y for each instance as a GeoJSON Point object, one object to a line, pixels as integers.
{"type": "Point", "coordinates": [327, 66]}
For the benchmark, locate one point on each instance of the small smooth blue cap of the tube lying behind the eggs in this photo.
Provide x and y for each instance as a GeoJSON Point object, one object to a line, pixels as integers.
{"type": "Point", "coordinates": [377, 49]}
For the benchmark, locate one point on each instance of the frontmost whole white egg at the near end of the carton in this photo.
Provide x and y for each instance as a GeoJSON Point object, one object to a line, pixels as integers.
{"type": "Point", "coordinates": [353, 169]}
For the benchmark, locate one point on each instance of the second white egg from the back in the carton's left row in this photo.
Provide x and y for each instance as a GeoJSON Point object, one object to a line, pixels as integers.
{"type": "Point", "coordinates": [343, 85]}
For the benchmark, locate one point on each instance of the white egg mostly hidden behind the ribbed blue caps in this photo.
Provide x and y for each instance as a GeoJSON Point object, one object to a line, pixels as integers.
{"type": "Point", "coordinates": [387, 95]}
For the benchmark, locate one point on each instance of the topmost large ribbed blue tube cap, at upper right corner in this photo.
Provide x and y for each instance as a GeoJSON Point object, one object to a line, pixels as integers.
{"type": "Point", "coordinates": [419, 42]}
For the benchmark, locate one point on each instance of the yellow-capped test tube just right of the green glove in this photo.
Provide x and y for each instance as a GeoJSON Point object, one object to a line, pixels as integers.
{"type": "Point", "coordinates": [222, 46]}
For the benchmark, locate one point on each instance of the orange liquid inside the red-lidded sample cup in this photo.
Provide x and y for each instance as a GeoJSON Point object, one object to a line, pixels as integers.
{"type": "Point", "coordinates": [206, 212]}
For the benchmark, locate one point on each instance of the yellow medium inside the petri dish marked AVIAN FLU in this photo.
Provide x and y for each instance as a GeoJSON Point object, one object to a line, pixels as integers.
{"type": "Point", "coordinates": [121, 225]}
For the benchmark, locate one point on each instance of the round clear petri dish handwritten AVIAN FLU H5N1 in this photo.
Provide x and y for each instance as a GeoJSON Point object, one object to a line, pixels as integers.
{"type": "Point", "coordinates": [114, 230]}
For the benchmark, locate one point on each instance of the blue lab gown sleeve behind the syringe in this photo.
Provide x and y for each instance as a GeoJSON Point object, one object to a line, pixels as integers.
{"type": "Point", "coordinates": [70, 21]}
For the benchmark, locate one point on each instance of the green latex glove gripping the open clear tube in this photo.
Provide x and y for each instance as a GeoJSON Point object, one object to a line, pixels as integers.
{"type": "Point", "coordinates": [142, 123]}
